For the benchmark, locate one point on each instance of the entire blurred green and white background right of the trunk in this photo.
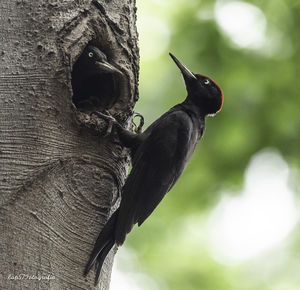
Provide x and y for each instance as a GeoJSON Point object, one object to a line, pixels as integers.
{"type": "Point", "coordinates": [232, 221]}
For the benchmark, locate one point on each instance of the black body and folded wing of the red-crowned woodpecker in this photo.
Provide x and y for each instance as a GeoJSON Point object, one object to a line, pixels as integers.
{"type": "Point", "coordinates": [158, 163]}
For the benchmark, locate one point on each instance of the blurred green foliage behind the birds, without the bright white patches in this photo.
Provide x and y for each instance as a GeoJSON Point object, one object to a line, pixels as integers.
{"type": "Point", "coordinates": [261, 109]}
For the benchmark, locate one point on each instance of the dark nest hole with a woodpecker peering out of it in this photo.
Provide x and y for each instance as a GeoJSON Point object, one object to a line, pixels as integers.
{"type": "Point", "coordinates": [95, 81]}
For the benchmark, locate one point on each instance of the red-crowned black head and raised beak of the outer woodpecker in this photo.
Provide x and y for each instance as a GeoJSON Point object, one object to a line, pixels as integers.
{"type": "Point", "coordinates": [202, 91]}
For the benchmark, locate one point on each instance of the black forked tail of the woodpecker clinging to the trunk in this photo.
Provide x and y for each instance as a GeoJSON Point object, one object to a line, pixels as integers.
{"type": "Point", "coordinates": [103, 245]}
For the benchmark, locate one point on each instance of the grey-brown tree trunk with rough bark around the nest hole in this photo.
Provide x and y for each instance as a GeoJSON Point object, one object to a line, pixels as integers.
{"type": "Point", "coordinates": [59, 177]}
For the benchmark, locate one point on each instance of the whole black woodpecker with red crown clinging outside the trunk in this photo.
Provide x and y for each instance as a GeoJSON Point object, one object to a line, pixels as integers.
{"type": "Point", "coordinates": [160, 155]}
